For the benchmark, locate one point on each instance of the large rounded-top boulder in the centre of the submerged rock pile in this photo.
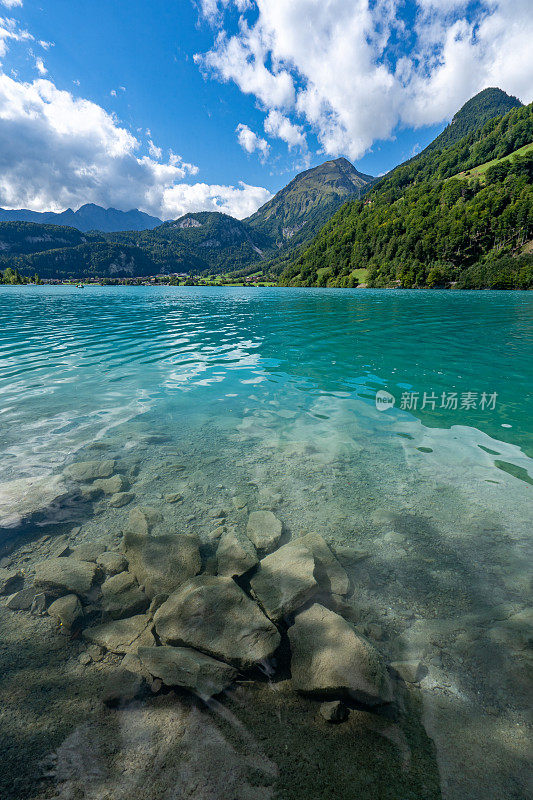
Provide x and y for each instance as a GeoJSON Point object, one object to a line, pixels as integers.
{"type": "Point", "coordinates": [214, 615]}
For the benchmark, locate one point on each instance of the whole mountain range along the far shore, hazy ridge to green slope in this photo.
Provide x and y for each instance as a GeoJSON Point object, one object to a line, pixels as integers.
{"type": "Point", "coordinates": [428, 215]}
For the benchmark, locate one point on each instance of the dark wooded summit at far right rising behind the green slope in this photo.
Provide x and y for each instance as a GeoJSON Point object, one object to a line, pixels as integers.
{"type": "Point", "coordinates": [473, 115]}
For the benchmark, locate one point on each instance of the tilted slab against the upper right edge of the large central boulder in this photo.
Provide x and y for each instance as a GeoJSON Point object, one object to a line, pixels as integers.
{"type": "Point", "coordinates": [285, 580]}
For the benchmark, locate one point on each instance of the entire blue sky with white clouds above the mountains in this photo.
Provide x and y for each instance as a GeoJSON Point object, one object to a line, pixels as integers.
{"type": "Point", "coordinates": [172, 106]}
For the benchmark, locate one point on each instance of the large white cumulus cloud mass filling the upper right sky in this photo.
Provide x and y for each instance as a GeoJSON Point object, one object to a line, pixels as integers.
{"type": "Point", "coordinates": [352, 70]}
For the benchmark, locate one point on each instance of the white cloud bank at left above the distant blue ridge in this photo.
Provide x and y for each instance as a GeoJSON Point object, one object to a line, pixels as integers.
{"type": "Point", "coordinates": [57, 150]}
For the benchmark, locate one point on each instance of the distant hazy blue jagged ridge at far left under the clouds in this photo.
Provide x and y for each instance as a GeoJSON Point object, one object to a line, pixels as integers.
{"type": "Point", "coordinates": [87, 218]}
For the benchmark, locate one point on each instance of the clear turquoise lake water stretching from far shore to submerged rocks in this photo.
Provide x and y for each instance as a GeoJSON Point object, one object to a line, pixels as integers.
{"type": "Point", "coordinates": [270, 395]}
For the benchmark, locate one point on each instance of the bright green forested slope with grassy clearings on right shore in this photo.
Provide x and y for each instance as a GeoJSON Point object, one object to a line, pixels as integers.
{"type": "Point", "coordinates": [436, 220]}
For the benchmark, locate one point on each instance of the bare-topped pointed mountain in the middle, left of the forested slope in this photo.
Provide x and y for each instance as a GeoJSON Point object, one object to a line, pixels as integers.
{"type": "Point", "coordinates": [296, 212]}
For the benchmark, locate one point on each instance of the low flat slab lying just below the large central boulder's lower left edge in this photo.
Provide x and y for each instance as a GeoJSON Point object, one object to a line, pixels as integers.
{"type": "Point", "coordinates": [181, 666]}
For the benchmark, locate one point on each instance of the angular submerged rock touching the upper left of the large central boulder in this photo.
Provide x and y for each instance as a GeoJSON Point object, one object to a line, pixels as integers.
{"type": "Point", "coordinates": [161, 563]}
